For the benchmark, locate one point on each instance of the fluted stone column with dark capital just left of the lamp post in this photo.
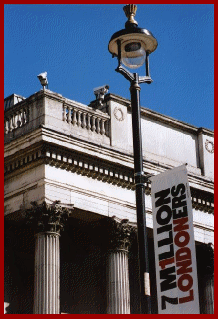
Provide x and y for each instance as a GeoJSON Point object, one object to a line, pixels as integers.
{"type": "Point", "coordinates": [118, 291]}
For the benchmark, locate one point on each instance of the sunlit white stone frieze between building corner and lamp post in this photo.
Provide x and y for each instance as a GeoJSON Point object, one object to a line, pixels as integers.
{"type": "Point", "coordinates": [89, 194]}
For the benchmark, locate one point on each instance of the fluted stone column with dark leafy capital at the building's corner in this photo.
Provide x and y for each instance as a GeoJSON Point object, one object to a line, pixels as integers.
{"type": "Point", "coordinates": [48, 220]}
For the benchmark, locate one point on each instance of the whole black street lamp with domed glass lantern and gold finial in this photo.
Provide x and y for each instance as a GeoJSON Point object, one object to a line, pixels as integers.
{"type": "Point", "coordinates": [132, 47]}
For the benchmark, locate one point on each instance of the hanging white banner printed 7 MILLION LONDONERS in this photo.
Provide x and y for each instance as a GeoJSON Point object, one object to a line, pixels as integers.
{"type": "Point", "coordinates": [175, 257]}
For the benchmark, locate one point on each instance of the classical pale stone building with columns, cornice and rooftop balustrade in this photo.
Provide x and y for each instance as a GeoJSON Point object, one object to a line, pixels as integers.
{"type": "Point", "coordinates": [70, 216]}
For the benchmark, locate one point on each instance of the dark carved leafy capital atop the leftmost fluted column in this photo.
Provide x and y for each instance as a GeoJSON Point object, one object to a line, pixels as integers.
{"type": "Point", "coordinates": [47, 217]}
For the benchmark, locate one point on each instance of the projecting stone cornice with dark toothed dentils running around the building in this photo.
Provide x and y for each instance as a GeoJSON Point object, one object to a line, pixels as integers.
{"type": "Point", "coordinates": [100, 165]}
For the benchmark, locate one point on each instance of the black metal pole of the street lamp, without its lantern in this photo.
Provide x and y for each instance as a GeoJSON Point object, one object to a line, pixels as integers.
{"type": "Point", "coordinates": [140, 197]}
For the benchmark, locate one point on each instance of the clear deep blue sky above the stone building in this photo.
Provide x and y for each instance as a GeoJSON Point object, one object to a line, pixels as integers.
{"type": "Point", "coordinates": [70, 42]}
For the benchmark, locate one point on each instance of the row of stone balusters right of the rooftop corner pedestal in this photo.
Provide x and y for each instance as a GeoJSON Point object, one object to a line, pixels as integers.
{"type": "Point", "coordinates": [86, 118]}
